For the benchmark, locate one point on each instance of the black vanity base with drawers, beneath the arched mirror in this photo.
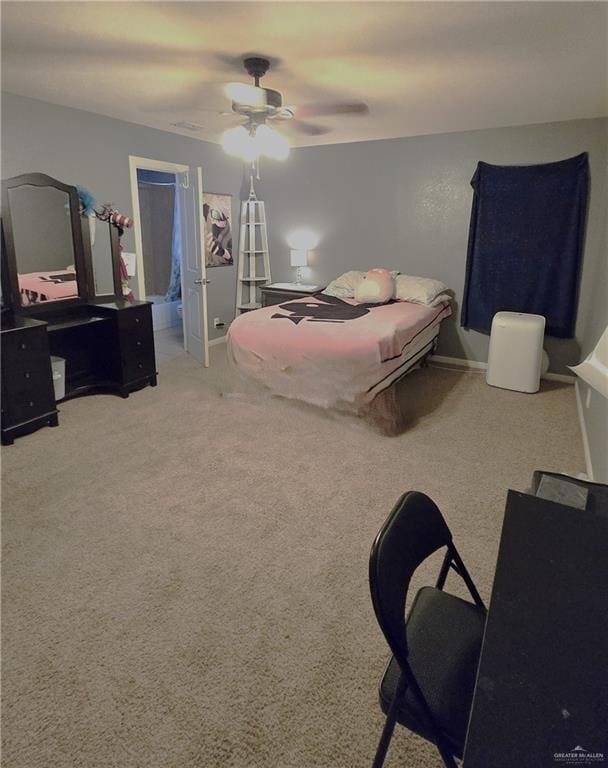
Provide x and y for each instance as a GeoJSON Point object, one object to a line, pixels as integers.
{"type": "Point", "coordinates": [107, 348]}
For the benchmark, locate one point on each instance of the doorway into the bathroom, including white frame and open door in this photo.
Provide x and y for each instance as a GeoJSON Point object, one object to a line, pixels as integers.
{"type": "Point", "coordinates": [168, 267]}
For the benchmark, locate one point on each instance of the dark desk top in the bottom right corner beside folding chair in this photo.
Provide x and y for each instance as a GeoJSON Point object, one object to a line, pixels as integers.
{"type": "Point", "coordinates": [542, 686]}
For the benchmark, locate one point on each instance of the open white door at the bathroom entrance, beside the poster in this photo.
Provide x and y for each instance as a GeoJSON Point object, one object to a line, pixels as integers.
{"type": "Point", "coordinates": [194, 286]}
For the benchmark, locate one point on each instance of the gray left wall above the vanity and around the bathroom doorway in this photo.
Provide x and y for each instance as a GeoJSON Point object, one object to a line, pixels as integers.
{"type": "Point", "coordinates": [93, 151]}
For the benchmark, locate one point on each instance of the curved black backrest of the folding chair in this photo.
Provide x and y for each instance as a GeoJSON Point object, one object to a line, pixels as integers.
{"type": "Point", "coordinates": [414, 529]}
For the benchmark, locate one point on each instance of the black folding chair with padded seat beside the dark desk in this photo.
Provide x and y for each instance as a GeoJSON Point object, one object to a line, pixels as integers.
{"type": "Point", "coordinates": [429, 681]}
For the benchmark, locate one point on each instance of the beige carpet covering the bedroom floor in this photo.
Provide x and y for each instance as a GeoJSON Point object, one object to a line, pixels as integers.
{"type": "Point", "coordinates": [185, 573]}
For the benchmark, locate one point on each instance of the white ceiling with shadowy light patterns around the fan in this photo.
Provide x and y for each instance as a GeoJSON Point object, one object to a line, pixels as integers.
{"type": "Point", "coordinates": [422, 67]}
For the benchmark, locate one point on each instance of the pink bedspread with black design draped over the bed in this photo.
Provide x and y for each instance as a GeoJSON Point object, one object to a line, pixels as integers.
{"type": "Point", "coordinates": [329, 352]}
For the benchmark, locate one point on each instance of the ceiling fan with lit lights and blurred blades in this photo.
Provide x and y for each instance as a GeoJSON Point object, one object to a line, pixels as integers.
{"type": "Point", "coordinates": [262, 106]}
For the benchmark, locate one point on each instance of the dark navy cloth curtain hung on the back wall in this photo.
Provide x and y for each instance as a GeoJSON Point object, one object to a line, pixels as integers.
{"type": "Point", "coordinates": [526, 243]}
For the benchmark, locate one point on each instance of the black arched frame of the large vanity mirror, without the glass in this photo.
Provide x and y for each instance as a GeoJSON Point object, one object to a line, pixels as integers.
{"type": "Point", "coordinates": [82, 249]}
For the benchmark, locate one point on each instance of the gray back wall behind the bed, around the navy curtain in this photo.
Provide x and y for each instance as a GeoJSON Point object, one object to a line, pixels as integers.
{"type": "Point", "coordinates": [406, 204]}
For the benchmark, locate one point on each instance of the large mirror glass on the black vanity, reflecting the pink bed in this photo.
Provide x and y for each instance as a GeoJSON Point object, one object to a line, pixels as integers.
{"type": "Point", "coordinates": [44, 248]}
